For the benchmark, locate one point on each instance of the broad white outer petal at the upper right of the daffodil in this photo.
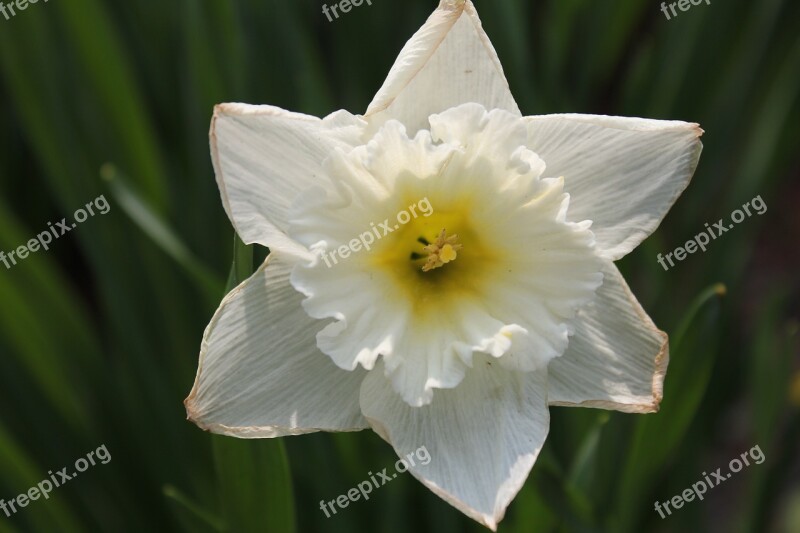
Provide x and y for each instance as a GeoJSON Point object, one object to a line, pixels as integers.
{"type": "Point", "coordinates": [622, 173]}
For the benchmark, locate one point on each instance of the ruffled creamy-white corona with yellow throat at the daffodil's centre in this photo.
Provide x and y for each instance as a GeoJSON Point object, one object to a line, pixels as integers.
{"type": "Point", "coordinates": [495, 267]}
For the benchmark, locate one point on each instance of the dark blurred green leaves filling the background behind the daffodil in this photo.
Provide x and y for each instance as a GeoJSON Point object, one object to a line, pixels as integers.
{"type": "Point", "coordinates": [99, 337]}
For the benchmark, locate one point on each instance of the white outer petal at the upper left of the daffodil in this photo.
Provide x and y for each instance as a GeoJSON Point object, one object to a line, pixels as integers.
{"type": "Point", "coordinates": [264, 156]}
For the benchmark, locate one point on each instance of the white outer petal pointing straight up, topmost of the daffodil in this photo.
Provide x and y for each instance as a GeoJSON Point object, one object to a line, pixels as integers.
{"type": "Point", "coordinates": [448, 62]}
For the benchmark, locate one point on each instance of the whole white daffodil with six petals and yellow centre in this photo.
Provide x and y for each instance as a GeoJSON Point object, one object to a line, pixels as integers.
{"type": "Point", "coordinates": [456, 330]}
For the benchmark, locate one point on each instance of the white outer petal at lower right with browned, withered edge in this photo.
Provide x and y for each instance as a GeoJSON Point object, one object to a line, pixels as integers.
{"type": "Point", "coordinates": [617, 358]}
